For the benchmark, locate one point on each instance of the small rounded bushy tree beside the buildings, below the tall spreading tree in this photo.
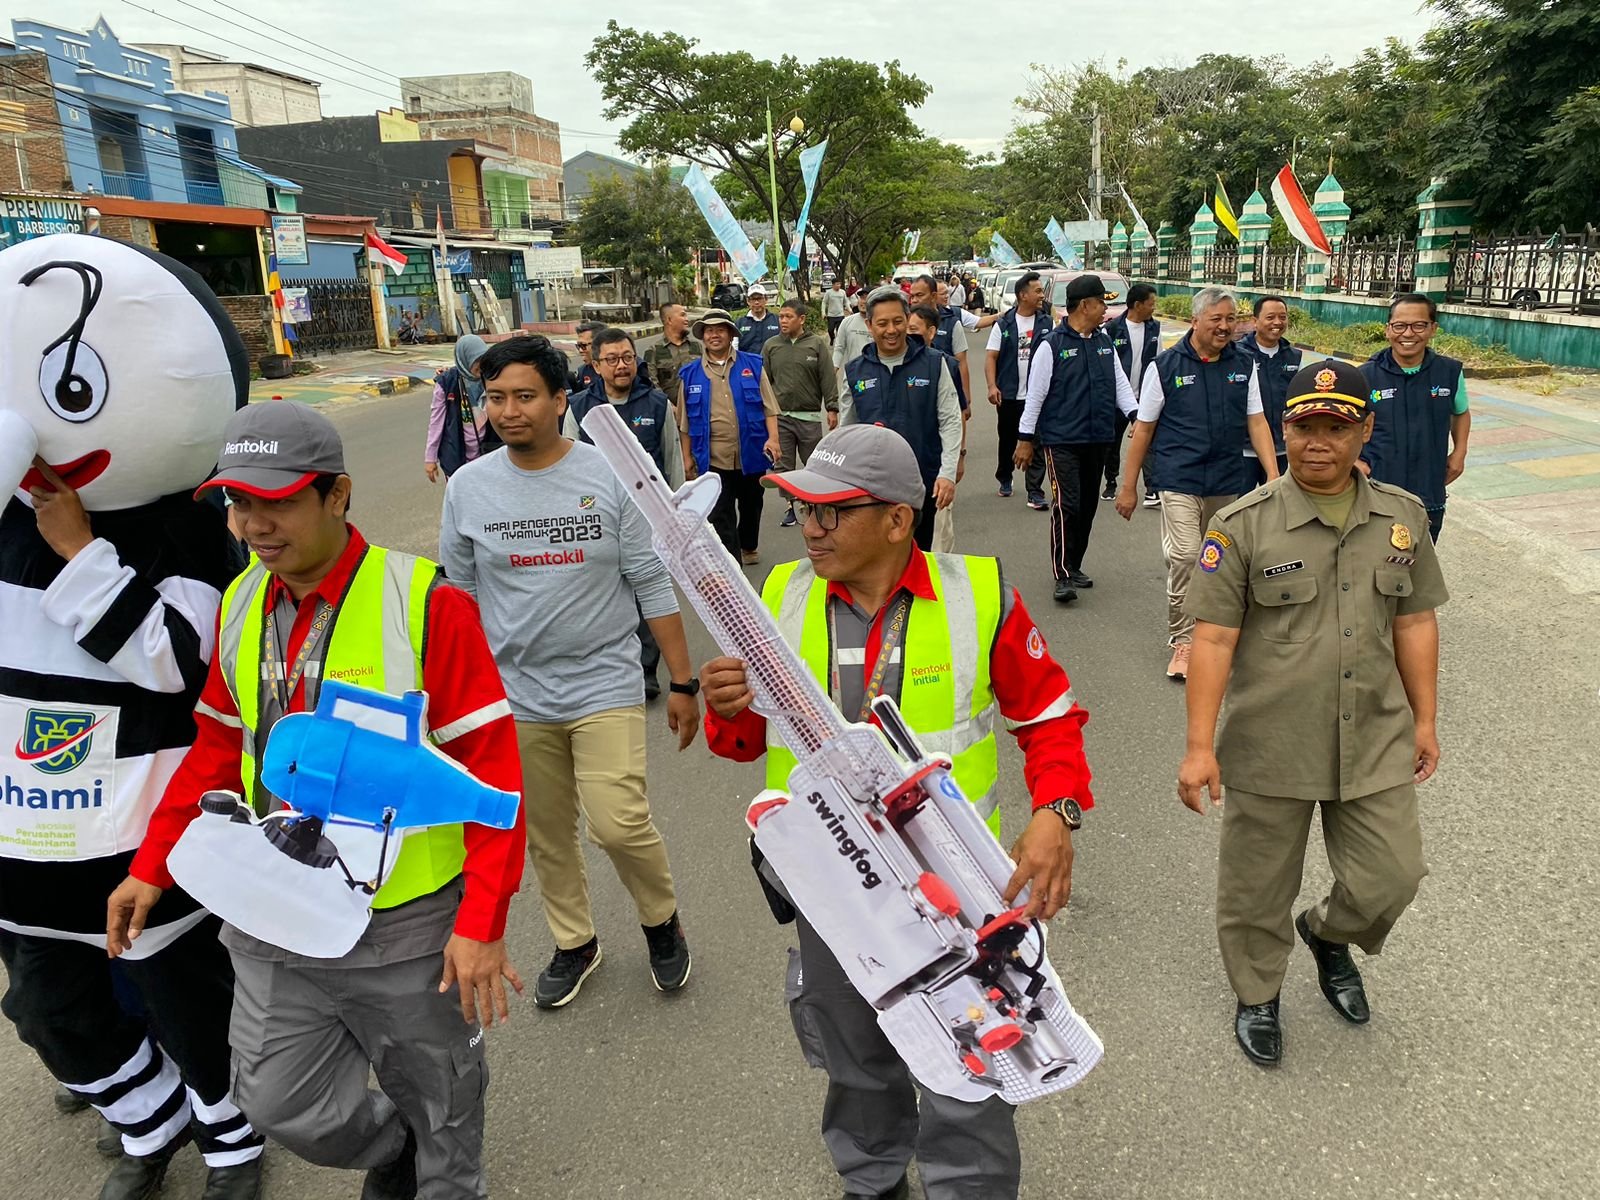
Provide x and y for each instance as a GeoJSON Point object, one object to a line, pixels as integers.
{"type": "Point", "coordinates": [644, 223]}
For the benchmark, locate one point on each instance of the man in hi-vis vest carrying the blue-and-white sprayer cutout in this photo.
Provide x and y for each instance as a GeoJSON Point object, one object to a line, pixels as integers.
{"type": "Point", "coordinates": [409, 999]}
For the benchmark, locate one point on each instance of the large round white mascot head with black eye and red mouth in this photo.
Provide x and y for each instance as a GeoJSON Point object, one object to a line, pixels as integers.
{"type": "Point", "coordinates": [119, 370]}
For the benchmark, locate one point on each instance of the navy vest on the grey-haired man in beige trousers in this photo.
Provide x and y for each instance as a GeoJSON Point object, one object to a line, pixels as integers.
{"type": "Point", "coordinates": [1199, 447]}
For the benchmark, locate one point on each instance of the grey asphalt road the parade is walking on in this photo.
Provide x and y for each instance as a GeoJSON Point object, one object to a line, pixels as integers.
{"type": "Point", "coordinates": [1478, 1076]}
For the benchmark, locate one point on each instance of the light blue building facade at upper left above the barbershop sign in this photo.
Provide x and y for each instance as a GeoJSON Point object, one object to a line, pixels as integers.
{"type": "Point", "coordinates": [129, 132]}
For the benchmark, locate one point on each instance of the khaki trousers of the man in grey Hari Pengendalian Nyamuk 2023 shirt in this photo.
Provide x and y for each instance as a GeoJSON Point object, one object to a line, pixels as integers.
{"type": "Point", "coordinates": [596, 767]}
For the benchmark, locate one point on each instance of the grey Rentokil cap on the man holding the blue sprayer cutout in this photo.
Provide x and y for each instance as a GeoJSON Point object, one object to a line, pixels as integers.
{"type": "Point", "coordinates": [274, 449]}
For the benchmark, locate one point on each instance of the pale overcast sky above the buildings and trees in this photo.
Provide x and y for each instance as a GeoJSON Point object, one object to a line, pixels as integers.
{"type": "Point", "coordinates": [970, 63]}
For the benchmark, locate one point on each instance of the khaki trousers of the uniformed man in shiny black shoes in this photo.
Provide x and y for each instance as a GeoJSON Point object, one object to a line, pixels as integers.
{"type": "Point", "coordinates": [1375, 849]}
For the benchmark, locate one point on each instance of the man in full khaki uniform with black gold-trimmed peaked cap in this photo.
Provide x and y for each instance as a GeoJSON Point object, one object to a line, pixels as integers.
{"type": "Point", "coordinates": [1318, 593]}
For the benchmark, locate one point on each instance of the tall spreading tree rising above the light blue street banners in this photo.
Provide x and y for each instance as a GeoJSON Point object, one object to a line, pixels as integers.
{"type": "Point", "coordinates": [711, 110]}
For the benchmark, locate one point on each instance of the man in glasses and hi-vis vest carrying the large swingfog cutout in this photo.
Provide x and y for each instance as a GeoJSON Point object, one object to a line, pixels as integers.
{"type": "Point", "coordinates": [868, 610]}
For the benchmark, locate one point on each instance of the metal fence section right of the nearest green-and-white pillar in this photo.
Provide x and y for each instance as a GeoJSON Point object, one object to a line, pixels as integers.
{"type": "Point", "coordinates": [1530, 271]}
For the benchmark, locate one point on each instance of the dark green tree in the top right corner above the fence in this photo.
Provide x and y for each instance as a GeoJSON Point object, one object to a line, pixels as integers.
{"type": "Point", "coordinates": [1514, 122]}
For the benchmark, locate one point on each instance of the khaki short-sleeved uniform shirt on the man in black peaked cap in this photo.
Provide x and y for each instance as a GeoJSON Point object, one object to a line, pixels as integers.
{"type": "Point", "coordinates": [1316, 708]}
